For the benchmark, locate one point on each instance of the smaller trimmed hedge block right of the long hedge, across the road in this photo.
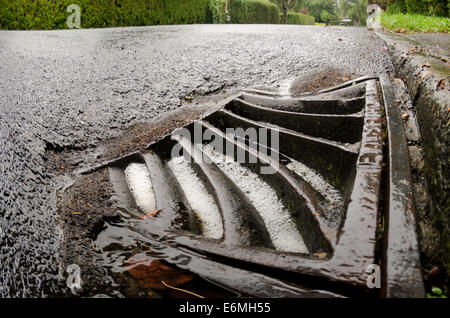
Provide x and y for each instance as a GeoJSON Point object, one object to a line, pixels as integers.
{"type": "Point", "coordinates": [253, 11]}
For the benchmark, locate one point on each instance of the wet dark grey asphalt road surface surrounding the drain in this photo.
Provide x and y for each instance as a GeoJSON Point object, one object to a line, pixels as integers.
{"type": "Point", "coordinates": [74, 88]}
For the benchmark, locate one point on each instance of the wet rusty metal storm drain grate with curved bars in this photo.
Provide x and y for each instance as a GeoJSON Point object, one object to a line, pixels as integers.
{"type": "Point", "coordinates": [286, 187]}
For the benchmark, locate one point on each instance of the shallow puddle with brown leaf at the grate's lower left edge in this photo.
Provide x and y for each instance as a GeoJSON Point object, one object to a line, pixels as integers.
{"type": "Point", "coordinates": [142, 267]}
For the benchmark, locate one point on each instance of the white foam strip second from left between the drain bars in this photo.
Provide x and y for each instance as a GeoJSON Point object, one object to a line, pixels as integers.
{"type": "Point", "coordinates": [201, 202]}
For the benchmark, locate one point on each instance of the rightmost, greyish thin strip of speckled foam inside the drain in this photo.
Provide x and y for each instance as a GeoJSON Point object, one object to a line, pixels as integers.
{"type": "Point", "coordinates": [316, 181]}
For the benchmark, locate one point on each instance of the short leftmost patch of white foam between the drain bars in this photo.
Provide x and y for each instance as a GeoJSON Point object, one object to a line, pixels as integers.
{"type": "Point", "coordinates": [140, 184]}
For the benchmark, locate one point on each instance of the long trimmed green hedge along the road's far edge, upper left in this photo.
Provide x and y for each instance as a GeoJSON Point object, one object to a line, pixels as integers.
{"type": "Point", "coordinates": [51, 14]}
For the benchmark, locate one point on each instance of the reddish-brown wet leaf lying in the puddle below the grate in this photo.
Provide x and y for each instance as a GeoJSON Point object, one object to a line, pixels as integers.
{"type": "Point", "coordinates": [151, 274]}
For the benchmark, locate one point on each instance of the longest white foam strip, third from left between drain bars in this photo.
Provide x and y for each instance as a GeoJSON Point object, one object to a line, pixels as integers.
{"type": "Point", "coordinates": [282, 230]}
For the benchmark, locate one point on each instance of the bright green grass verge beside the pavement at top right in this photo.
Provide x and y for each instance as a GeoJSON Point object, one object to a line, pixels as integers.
{"type": "Point", "coordinates": [415, 23]}
